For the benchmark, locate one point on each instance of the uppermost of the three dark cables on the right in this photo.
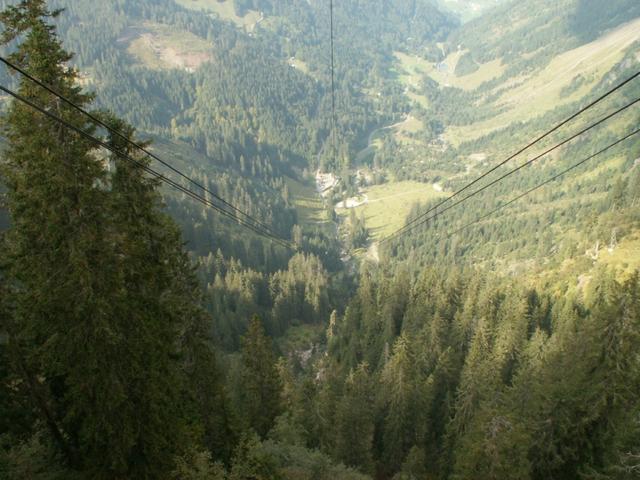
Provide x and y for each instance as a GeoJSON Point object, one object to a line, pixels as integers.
{"type": "Point", "coordinates": [537, 140]}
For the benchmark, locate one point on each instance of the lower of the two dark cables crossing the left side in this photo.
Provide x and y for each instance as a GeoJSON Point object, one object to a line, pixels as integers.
{"type": "Point", "coordinates": [147, 169]}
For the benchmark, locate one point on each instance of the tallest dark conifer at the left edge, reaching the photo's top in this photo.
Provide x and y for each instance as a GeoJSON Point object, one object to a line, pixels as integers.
{"type": "Point", "coordinates": [57, 248]}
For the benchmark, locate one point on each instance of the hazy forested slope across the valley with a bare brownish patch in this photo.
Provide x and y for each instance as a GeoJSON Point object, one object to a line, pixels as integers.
{"type": "Point", "coordinates": [228, 100]}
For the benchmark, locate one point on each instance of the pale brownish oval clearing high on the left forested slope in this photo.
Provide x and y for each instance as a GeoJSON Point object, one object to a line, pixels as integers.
{"type": "Point", "coordinates": [162, 47]}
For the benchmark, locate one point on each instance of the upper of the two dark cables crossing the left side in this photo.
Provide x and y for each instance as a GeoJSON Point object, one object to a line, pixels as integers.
{"type": "Point", "coordinates": [131, 142]}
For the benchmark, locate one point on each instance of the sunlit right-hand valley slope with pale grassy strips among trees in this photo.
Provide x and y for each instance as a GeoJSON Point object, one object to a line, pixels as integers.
{"type": "Point", "coordinates": [487, 96]}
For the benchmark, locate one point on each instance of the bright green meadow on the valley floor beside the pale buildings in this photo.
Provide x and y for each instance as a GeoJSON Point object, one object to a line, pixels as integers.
{"type": "Point", "coordinates": [390, 203]}
